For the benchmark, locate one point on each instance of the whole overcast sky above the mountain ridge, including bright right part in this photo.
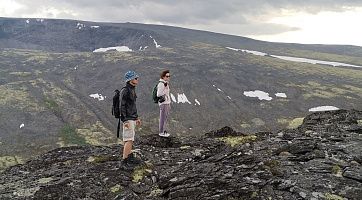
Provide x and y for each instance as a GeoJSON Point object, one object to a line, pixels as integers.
{"type": "Point", "coordinates": [306, 21]}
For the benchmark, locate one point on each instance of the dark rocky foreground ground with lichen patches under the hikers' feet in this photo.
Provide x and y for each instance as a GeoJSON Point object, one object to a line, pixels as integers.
{"type": "Point", "coordinates": [322, 159]}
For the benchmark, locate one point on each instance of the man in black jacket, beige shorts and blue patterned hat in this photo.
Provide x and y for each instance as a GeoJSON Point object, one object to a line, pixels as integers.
{"type": "Point", "coordinates": [129, 115]}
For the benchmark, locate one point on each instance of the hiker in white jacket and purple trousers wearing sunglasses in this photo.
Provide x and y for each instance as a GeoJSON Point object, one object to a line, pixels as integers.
{"type": "Point", "coordinates": [163, 92]}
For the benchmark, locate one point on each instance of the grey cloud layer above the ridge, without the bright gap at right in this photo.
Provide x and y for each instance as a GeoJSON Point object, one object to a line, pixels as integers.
{"type": "Point", "coordinates": [241, 17]}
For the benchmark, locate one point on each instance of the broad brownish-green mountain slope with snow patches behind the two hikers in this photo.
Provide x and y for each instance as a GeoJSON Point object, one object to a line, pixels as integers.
{"type": "Point", "coordinates": [48, 72]}
